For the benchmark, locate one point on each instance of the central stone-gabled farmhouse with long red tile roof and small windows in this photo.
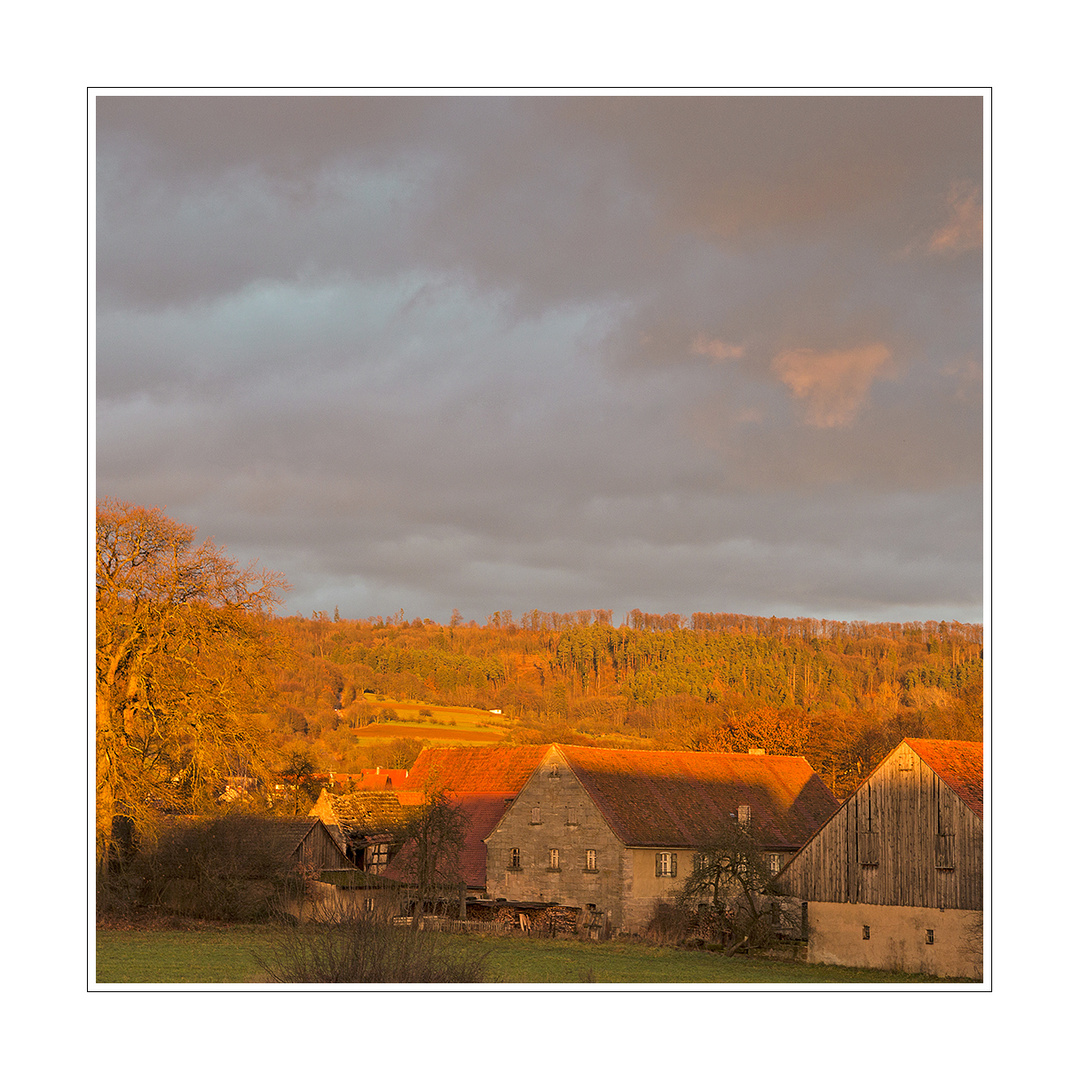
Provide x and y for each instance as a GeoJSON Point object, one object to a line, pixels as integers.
{"type": "Point", "coordinates": [615, 832]}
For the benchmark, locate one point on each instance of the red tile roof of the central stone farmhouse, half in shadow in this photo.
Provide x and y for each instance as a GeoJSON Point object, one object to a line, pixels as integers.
{"type": "Point", "coordinates": [659, 799]}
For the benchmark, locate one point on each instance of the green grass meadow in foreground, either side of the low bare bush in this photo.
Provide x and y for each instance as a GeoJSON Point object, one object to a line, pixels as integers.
{"type": "Point", "coordinates": [227, 955]}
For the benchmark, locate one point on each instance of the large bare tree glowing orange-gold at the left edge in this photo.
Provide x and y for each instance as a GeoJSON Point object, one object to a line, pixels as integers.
{"type": "Point", "coordinates": [182, 642]}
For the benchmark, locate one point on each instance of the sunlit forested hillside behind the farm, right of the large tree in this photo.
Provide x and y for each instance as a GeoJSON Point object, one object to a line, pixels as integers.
{"type": "Point", "coordinates": [840, 694]}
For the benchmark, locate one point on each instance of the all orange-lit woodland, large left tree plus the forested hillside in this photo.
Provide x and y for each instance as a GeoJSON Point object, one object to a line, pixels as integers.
{"type": "Point", "coordinates": [200, 680]}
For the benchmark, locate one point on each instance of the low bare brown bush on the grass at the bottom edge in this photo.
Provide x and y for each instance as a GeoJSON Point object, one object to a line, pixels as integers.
{"type": "Point", "coordinates": [366, 949]}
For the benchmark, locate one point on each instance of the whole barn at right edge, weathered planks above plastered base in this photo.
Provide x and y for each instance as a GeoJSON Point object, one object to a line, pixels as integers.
{"type": "Point", "coordinates": [895, 879]}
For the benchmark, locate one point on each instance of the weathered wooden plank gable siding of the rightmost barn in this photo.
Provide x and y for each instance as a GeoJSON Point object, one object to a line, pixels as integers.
{"type": "Point", "coordinates": [903, 839]}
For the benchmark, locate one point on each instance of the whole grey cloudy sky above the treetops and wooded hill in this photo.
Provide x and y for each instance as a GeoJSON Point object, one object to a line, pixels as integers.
{"type": "Point", "coordinates": [681, 355]}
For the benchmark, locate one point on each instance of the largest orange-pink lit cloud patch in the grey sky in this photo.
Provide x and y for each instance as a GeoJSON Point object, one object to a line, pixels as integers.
{"type": "Point", "coordinates": [834, 385]}
